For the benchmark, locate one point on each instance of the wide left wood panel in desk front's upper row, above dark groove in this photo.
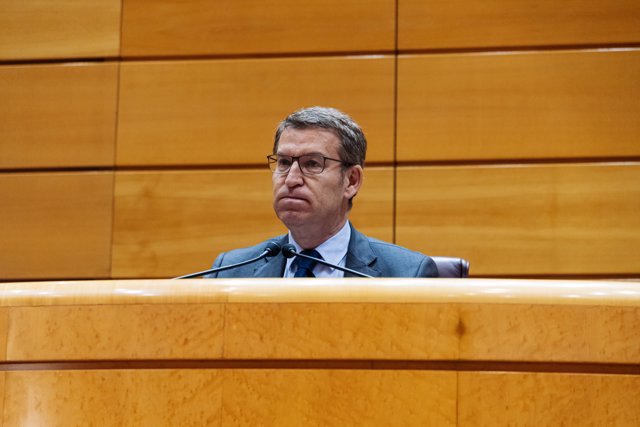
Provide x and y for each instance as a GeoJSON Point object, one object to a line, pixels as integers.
{"type": "Point", "coordinates": [116, 332]}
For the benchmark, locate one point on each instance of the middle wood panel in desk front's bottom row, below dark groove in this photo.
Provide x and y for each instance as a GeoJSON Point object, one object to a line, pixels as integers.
{"type": "Point", "coordinates": [338, 398]}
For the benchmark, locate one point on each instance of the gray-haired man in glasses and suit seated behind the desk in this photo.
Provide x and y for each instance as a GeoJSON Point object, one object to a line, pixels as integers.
{"type": "Point", "coordinates": [317, 163]}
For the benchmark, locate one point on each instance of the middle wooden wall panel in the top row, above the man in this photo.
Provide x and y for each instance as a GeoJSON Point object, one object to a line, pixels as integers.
{"type": "Point", "coordinates": [197, 27]}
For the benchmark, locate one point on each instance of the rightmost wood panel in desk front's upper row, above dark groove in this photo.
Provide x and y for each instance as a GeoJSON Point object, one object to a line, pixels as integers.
{"type": "Point", "coordinates": [521, 332]}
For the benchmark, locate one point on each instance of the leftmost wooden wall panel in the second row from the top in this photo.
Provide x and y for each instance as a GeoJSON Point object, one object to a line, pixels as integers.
{"type": "Point", "coordinates": [58, 115]}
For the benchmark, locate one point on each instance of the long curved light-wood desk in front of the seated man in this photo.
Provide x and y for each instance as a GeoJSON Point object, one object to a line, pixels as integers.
{"type": "Point", "coordinates": [299, 352]}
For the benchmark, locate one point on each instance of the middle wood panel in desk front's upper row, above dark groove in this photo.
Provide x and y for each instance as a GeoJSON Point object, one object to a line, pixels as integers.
{"type": "Point", "coordinates": [341, 331]}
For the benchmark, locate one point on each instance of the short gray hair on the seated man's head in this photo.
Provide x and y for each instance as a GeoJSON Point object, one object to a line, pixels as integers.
{"type": "Point", "coordinates": [353, 144]}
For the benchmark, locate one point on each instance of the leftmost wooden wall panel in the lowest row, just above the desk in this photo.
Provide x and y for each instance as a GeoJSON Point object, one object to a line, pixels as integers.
{"type": "Point", "coordinates": [55, 225]}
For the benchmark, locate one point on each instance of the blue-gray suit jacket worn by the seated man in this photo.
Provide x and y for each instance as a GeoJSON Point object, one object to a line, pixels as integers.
{"type": "Point", "coordinates": [367, 255]}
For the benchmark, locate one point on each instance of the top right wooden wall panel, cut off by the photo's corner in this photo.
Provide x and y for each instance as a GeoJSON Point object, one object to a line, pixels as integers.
{"type": "Point", "coordinates": [432, 24]}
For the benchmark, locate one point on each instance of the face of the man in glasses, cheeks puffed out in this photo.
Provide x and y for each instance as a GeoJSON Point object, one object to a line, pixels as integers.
{"type": "Point", "coordinates": [315, 201]}
